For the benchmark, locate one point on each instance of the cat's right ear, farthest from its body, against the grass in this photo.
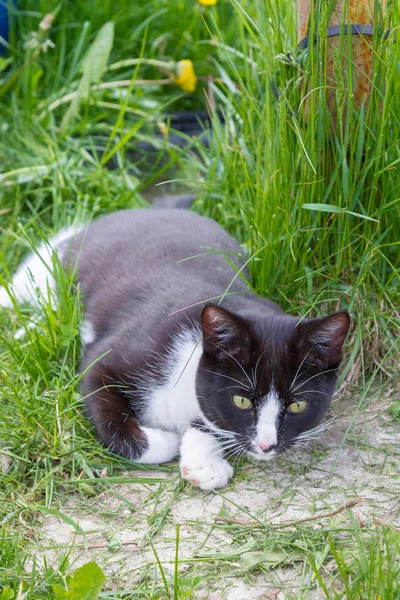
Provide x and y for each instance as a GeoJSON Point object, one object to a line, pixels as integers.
{"type": "Point", "coordinates": [321, 340]}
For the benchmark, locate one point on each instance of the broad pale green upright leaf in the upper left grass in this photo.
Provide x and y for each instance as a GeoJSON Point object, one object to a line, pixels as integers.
{"type": "Point", "coordinates": [93, 68]}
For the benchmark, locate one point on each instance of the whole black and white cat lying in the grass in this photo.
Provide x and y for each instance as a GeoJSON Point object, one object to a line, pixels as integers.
{"type": "Point", "coordinates": [183, 358]}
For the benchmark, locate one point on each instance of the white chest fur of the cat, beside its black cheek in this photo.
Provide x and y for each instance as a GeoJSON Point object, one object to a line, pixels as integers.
{"type": "Point", "coordinates": [172, 404]}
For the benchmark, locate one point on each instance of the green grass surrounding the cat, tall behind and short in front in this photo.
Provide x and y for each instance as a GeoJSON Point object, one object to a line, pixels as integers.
{"type": "Point", "coordinates": [316, 203]}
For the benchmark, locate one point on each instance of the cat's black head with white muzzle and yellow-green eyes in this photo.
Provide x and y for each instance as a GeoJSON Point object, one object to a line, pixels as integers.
{"type": "Point", "coordinates": [263, 382]}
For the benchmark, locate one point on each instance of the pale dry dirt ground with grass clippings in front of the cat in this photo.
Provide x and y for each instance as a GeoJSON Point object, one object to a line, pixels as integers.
{"type": "Point", "coordinates": [356, 459]}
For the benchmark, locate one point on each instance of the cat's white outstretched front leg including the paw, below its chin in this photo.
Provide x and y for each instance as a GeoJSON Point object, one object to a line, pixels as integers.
{"type": "Point", "coordinates": [202, 461]}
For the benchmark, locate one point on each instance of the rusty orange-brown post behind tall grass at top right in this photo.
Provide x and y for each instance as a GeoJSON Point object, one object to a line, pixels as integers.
{"type": "Point", "coordinates": [359, 17]}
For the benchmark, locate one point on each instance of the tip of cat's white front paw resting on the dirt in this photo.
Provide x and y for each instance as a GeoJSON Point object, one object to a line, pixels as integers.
{"type": "Point", "coordinates": [207, 473]}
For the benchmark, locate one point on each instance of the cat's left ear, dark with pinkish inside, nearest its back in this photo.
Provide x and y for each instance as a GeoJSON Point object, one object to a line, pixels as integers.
{"type": "Point", "coordinates": [225, 336]}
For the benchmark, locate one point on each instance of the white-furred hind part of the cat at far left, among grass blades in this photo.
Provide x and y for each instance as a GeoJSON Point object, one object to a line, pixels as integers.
{"type": "Point", "coordinates": [34, 277]}
